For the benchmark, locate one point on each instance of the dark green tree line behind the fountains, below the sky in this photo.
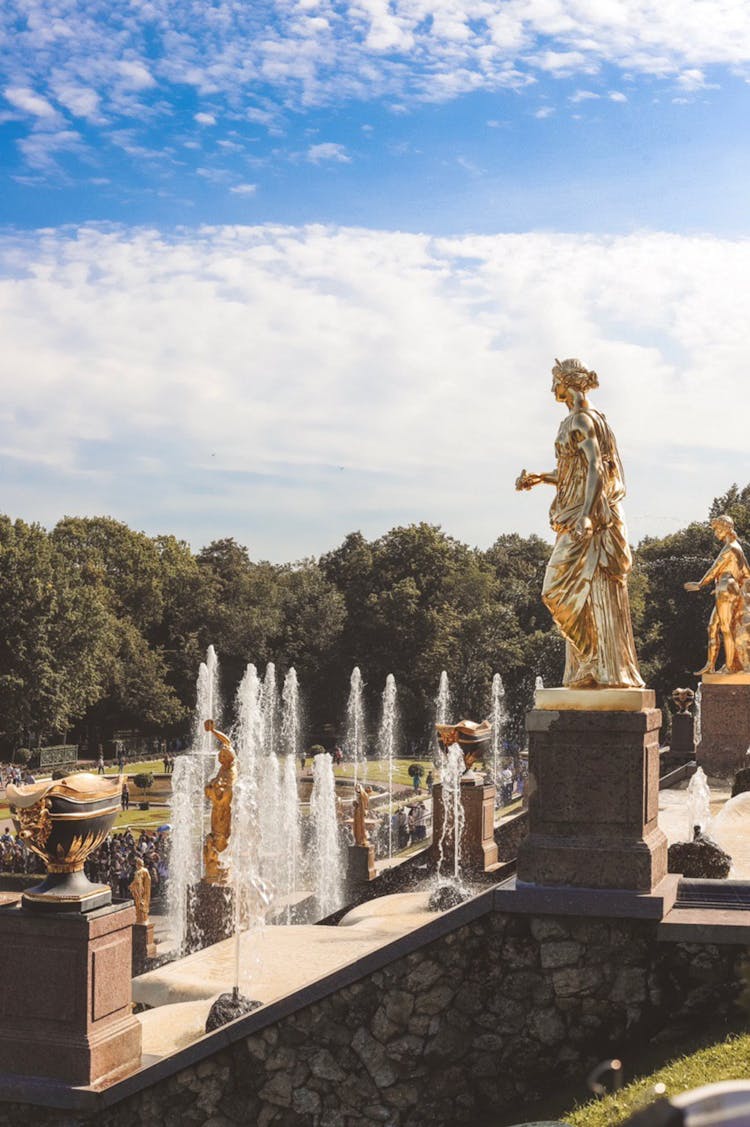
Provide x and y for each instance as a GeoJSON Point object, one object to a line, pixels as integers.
{"type": "Point", "coordinates": [103, 628]}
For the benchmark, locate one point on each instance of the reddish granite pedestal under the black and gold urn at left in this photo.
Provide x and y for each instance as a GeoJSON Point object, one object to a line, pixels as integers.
{"type": "Point", "coordinates": [67, 1011]}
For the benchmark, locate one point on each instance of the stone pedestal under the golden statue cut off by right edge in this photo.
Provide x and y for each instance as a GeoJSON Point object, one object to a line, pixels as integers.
{"type": "Point", "coordinates": [725, 725]}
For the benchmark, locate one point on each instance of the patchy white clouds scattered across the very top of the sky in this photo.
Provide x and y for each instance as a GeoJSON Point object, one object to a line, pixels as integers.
{"type": "Point", "coordinates": [276, 58]}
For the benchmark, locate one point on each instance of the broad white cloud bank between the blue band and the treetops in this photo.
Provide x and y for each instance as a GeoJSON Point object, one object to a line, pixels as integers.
{"type": "Point", "coordinates": [319, 349]}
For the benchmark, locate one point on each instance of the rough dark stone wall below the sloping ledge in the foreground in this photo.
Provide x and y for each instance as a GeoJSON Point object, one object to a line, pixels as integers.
{"type": "Point", "coordinates": [473, 1023]}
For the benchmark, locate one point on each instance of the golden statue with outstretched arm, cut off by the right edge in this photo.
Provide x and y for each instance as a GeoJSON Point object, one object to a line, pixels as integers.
{"type": "Point", "coordinates": [730, 622]}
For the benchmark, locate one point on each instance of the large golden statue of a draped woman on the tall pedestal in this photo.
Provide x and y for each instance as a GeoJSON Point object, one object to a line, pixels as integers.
{"type": "Point", "coordinates": [586, 582]}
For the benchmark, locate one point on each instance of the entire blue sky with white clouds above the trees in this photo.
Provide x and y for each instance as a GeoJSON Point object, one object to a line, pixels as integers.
{"type": "Point", "coordinates": [236, 216]}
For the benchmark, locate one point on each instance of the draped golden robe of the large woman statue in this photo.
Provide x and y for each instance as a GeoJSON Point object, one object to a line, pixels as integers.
{"type": "Point", "coordinates": [586, 582]}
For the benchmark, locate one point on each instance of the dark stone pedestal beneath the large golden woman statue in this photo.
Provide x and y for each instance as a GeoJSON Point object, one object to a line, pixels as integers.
{"type": "Point", "coordinates": [594, 801]}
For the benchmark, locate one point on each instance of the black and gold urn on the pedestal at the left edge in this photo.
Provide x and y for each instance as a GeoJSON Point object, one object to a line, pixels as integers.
{"type": "Point", "coordinates": [64, 821]}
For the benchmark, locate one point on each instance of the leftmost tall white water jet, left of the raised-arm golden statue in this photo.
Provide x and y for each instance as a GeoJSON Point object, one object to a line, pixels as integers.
{"type": "Point", "coordinates": [189, 809]}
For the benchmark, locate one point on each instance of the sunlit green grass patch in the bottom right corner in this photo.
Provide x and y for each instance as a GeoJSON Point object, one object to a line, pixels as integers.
{"type": "Point", "coordinates": [728, 1060]}
